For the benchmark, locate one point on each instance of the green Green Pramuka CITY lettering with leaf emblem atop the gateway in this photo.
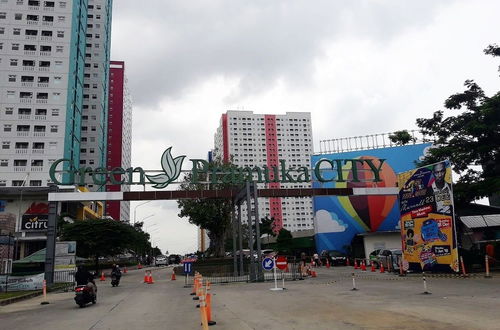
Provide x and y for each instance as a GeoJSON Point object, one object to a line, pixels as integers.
{"type": "Point", "coordinates": [326, 170]}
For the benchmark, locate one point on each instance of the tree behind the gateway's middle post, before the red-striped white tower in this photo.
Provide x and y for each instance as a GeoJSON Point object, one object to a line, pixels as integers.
{"type": "Point", "coordinates": [213, 215]}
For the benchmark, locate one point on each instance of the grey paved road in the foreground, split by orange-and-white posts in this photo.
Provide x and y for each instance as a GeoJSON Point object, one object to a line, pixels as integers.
{"type": "Point", "coordinates": [326, 302]}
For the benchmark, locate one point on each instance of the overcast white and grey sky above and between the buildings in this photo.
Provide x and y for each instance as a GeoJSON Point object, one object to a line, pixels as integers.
{"type": "Point", "coordinates": [359, 67]}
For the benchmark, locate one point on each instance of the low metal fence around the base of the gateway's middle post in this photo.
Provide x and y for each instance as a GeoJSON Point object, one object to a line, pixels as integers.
{"type": "Point", "coordinates": [252, 272]}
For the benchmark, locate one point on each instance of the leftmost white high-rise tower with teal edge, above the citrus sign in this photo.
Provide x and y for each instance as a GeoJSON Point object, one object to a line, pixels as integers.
{"type": "Point", "coordinates": [42, 55]}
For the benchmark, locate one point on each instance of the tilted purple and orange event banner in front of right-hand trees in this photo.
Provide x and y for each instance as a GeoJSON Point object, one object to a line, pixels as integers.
{"type": "Point", "coordinates": [427, 222]}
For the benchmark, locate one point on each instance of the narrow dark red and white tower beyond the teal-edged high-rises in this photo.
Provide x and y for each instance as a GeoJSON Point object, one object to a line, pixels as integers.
{"type": "Point", "coordinates": [119, 137]}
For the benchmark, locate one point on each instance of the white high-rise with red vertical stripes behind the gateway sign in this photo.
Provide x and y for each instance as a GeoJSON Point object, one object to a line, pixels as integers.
{"type": "Point", "coordinates": [248, 139]}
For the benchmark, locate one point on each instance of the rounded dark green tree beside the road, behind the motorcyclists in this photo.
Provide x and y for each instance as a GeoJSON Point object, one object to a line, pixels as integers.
{"type": "Point", "coordinates": [101, 237]}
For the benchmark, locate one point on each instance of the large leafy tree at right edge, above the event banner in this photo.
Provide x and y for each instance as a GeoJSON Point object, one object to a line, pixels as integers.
{"type": "Point", "coordinates": [471, 137]}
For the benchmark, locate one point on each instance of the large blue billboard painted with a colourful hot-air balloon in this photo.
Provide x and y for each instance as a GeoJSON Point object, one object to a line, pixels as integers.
{"type": "Point", "coordinates": [337, 219]}
